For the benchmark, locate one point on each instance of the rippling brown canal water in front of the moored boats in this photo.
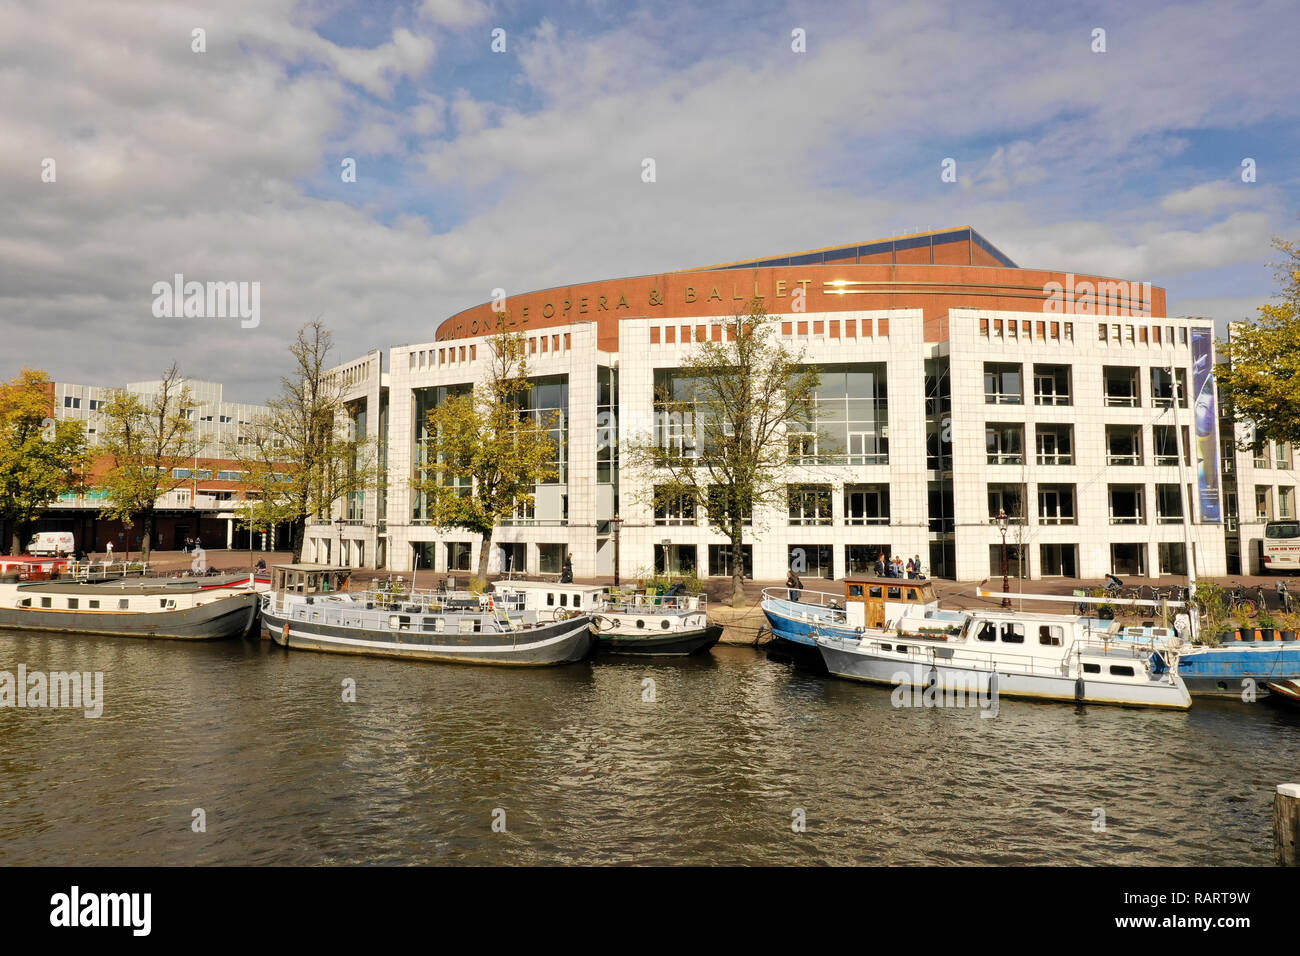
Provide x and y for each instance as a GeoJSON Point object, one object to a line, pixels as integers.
{"type": "Point", "coordinates": [727, 759]}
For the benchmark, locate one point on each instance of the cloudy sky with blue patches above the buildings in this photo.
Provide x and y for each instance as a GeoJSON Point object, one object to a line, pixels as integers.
{"type": "Point", "coordinates": [522, 170]}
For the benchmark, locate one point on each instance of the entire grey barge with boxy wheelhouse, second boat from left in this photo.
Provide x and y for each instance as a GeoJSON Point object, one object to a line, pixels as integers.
{"type": "Point", "coordinates": [313, 608]}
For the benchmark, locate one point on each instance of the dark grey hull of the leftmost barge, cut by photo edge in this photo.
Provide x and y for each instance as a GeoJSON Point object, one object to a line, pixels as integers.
{"type": "Point", "coordinates": [218, 620]}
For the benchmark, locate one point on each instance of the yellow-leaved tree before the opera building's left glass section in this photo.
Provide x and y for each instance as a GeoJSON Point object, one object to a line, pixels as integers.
{"type": "Point", "coordinates": [487, 451]}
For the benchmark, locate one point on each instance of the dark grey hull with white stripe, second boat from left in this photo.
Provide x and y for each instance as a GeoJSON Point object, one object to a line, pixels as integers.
{"type": "Point", "coordinates": [564, 642]}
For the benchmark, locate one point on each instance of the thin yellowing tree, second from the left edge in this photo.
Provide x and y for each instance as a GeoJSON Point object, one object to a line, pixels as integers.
{"type": "Point", "coordinates": [148, 439]}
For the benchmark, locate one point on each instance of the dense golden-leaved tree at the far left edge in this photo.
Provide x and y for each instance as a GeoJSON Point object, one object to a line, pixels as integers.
{"type": "Point", "coordinates": [40, 458]}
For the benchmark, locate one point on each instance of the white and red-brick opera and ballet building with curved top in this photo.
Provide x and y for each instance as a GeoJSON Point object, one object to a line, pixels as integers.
{"type": "Point", "coordinates": [956, 386]}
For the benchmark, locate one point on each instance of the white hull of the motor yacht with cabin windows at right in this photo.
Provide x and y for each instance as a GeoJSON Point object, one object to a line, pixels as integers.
{"type": "Point", "coordinates": [956, 678]}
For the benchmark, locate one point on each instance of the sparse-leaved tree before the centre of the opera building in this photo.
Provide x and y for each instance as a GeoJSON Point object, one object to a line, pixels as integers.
{"type": "Point", "coordinates": [720, 442]}
